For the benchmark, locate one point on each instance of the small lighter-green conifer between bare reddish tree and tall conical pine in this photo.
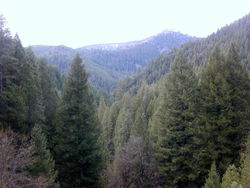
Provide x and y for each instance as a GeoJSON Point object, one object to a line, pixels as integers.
{"type": "Point", "coordinates": [44, 164]}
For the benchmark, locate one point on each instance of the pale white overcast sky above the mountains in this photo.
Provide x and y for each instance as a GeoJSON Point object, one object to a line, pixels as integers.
{"type": "Point", "coordinates": [77, 23]}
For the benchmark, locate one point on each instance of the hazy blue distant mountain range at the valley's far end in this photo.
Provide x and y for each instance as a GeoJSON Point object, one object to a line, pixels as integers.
{"type": "Point", "coordinates": [109, 63]}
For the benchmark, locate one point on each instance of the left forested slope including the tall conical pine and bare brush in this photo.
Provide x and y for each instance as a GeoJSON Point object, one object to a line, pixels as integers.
{"type": "Point", "coordinates": [34, 114]}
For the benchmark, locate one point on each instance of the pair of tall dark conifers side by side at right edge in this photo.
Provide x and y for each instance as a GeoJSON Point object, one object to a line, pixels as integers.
{"type": "Point", "coordinates": [225, 97]}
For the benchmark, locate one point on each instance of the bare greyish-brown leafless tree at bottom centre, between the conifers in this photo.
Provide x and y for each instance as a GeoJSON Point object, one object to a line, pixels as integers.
{"type": "Point", "coordinates": [134, 166]}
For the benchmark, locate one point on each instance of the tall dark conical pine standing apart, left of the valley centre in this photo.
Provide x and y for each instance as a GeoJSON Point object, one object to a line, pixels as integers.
{"type": "Point", "coordinates": [76, 150]}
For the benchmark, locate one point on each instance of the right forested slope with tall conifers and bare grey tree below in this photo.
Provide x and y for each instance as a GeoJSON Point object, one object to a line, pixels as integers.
{"type": "Point", "coordinates": [182, 112]}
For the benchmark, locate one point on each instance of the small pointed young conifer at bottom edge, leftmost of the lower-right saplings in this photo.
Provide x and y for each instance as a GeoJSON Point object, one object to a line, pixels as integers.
{"type": "Point", "coordinates": [213, 180]}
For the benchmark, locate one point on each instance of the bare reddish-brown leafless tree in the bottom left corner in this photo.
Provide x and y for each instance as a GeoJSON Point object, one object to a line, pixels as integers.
{"type": "Point", "coordinates": [15, 159]}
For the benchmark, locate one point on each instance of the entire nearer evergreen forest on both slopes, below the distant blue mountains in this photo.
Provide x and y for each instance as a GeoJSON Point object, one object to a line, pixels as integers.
{"type": "Point", "coordinates": [181, 122]}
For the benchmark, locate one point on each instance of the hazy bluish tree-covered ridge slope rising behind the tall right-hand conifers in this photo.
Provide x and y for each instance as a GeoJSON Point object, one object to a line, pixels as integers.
{"type": "Point", "coordinates": [198, 52]}
